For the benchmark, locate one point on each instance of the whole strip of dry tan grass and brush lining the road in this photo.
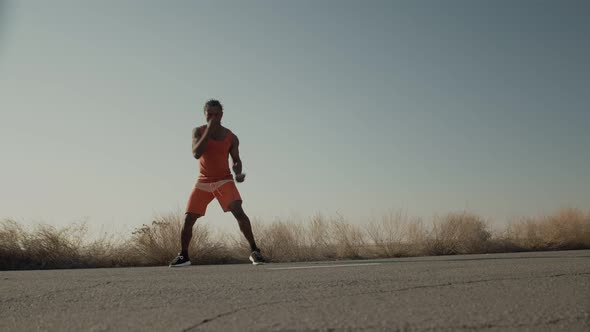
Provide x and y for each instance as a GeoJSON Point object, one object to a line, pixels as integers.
{"type": "Point", "coordinates": [319, 238]}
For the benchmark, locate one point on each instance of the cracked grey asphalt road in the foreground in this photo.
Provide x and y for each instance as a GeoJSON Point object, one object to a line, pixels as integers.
{"type": "Point", "coordinates": [521, 292]}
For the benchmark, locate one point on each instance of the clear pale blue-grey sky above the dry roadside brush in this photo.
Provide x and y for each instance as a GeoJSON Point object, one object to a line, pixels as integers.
{"type": "Point", "coordinates": [351, 108]}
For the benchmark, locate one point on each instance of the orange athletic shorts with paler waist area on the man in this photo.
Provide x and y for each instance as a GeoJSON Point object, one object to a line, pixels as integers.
{"type": "Point", "coordinates": [203, 193]}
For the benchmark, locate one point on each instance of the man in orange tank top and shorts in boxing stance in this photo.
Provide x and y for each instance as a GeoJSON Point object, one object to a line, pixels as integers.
{"type": "Point", "coordinates": [212, 145]}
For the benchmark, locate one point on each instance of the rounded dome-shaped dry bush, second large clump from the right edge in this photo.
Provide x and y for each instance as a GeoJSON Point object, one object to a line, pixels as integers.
{"type": "Point", "coordinates": [458, 233]}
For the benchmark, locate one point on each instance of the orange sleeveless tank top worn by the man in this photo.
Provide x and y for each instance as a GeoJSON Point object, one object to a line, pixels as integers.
{"type": "Point", "coordinates": [214, 162]}
